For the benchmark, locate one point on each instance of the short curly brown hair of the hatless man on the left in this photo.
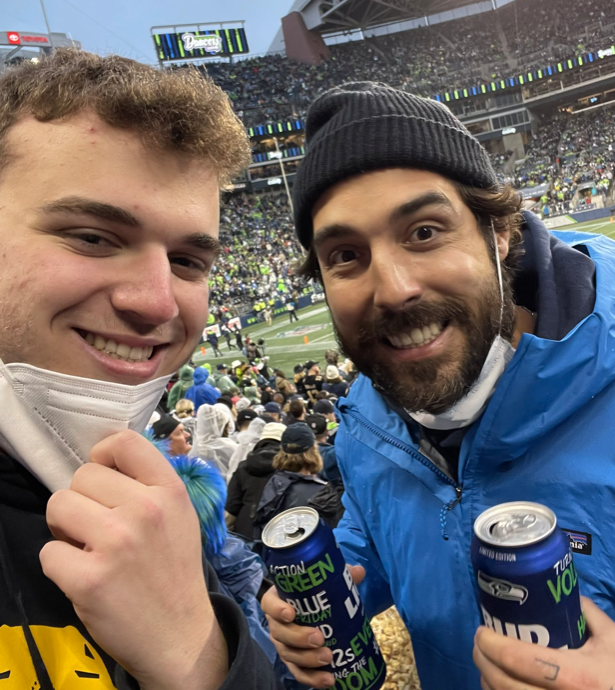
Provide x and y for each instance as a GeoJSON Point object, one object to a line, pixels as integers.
{"type": "Point", "coordinates": [175, 110]}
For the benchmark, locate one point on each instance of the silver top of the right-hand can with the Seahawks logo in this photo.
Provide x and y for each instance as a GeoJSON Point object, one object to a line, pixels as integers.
{"type": "Point", "coordinates": [519, 523]}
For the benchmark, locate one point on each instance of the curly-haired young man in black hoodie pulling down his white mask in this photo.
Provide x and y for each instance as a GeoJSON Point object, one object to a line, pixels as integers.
{"type": "Point", "coordinates": [103, 295]}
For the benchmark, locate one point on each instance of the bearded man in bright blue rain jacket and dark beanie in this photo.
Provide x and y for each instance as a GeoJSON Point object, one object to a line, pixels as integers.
{"type": "Point", "coordinates": [486, 347]}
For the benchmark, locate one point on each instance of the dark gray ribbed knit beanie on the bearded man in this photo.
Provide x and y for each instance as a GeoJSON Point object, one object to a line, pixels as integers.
{"type": "Point", "coordinates": [364, 126]}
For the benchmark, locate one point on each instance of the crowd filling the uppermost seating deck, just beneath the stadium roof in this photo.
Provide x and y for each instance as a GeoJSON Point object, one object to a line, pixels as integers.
{"type": "Point", "coordinates": [424, 61]}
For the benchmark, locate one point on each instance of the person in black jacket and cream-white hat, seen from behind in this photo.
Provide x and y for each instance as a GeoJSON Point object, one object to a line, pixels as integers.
{"type": "Point", "coordinates": [250, 478]}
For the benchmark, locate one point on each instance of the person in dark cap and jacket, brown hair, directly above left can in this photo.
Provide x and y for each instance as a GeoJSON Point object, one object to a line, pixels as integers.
{"type": "Point", "coordinates": [296, 482]}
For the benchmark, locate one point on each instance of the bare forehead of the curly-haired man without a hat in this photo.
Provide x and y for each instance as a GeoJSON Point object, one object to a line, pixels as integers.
{"type": "Point", "coordinates": [83, 157]}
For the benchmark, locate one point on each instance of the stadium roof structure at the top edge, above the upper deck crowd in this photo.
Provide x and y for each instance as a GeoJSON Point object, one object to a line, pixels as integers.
{"type": "Point", "coordinates": [345, 15]}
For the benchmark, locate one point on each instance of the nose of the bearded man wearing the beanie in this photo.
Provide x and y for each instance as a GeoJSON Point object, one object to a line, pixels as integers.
{"type": "Point", "coordinates": [395, 283]}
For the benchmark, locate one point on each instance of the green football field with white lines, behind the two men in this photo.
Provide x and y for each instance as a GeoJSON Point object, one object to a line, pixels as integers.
{"type": "Point", "coordinates": [285, 342]}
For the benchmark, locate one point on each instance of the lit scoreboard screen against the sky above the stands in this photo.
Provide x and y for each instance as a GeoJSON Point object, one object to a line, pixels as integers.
{"type": "Point", "coordinates": [191, 45]}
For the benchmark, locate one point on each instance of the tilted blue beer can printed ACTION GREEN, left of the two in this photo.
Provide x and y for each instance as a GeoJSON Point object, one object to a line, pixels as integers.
{"type": "Point", "coordinates": [309, 573]}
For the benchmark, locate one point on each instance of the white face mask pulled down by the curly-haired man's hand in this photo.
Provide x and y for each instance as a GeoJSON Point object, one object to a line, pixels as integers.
{"type": "Point", "coordinates": [51, 421]}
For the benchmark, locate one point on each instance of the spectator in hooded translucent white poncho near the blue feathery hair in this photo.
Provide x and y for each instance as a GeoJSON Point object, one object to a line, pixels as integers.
{"type": "Point", "coordinates": [212, 441]}
